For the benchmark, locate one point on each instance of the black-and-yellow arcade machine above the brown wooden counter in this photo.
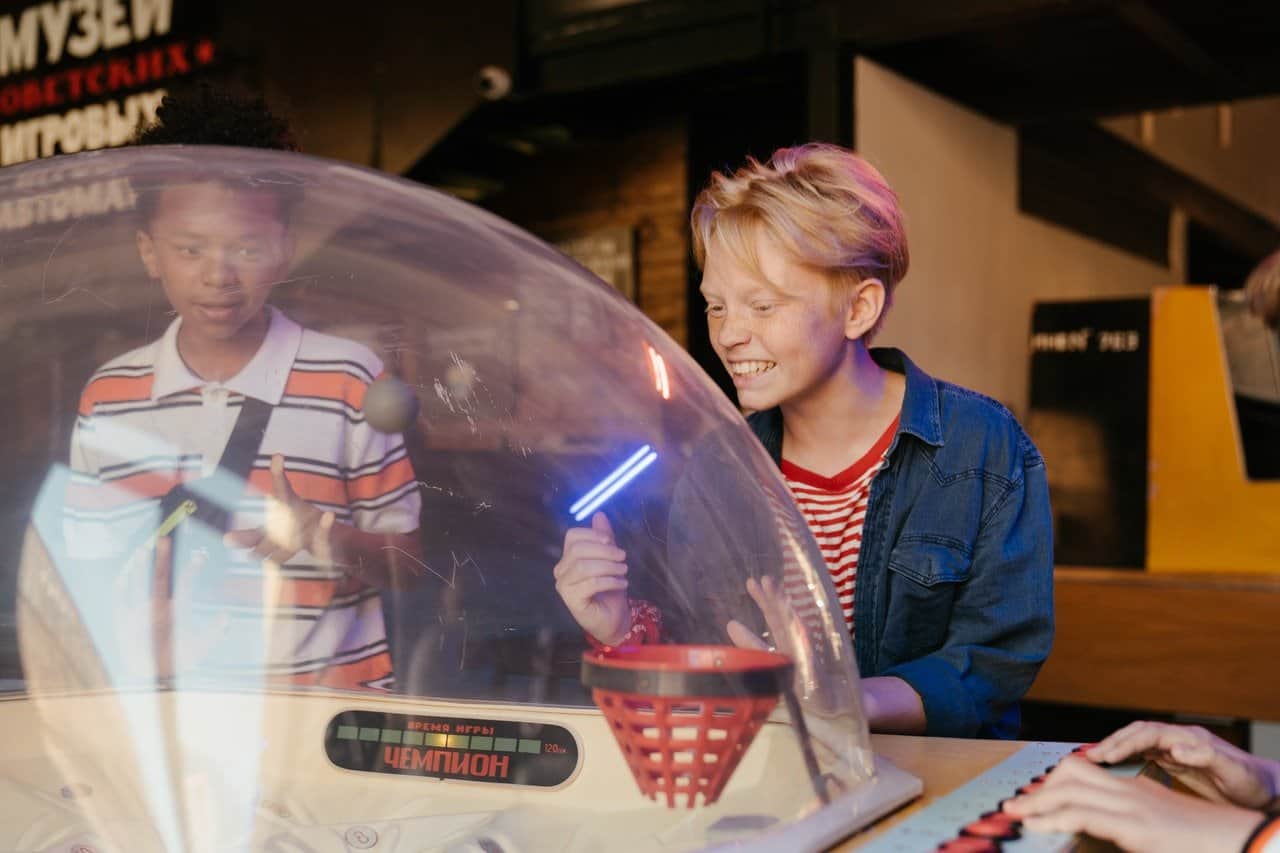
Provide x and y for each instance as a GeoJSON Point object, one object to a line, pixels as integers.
{"type": "Point", "coordinates": [1162, 417]}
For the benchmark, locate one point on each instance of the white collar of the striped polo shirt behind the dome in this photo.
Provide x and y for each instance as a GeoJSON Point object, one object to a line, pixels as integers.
{"type": "Point", "coordinates": [263, 378]}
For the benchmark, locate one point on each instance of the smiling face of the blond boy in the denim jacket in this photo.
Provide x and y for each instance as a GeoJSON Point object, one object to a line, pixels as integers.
{"type": "Point", "coordinates": [779, 331]}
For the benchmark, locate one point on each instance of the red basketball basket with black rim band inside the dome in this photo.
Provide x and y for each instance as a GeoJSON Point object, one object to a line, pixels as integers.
{"type": "Point", "coordinates": [685, 715]}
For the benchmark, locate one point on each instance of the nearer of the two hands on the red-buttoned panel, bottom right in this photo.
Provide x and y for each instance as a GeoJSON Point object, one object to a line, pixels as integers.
{"type": "Point", "coordinates": [1133, 814]}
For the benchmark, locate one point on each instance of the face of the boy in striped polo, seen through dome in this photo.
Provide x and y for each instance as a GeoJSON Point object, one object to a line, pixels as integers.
{"type": "Point", "coordinates": [217, 252]}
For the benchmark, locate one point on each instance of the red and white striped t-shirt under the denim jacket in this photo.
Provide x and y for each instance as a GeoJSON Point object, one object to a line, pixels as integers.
{"type": "Point", "coordinates": [835, 509]}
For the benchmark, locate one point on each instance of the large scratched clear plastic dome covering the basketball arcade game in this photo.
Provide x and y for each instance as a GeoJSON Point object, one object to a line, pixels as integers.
{"type": "Point", "coordinates": [397, 405]}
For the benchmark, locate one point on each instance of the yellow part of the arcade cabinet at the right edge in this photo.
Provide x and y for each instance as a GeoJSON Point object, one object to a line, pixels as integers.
{"type": "Point", "coordinates": [1215, 436]}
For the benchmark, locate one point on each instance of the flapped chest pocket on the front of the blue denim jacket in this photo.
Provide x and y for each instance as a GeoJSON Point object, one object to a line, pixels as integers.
{"type": "Point", "coordinates": [924, 576]}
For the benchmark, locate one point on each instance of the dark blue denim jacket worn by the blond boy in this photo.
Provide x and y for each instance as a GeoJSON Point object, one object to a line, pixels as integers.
{"type": "Point", "coordinates": [956, 580]}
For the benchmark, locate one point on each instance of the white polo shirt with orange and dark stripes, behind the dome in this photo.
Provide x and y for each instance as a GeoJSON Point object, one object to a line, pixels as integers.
{"type": "Point", "coordinates": [147, 423]}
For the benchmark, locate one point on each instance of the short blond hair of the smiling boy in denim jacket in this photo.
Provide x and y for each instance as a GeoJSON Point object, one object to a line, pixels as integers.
{"type": "Point", "coordinates": [825, 207]}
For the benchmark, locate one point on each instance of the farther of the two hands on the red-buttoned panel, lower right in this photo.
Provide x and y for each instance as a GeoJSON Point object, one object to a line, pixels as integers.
{"type": "Point", "coordinates": [1204, 763]}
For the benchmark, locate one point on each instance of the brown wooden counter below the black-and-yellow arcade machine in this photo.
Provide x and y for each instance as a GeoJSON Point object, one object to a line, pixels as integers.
{"type": "Point", "coordinates": [1205, 644]}
